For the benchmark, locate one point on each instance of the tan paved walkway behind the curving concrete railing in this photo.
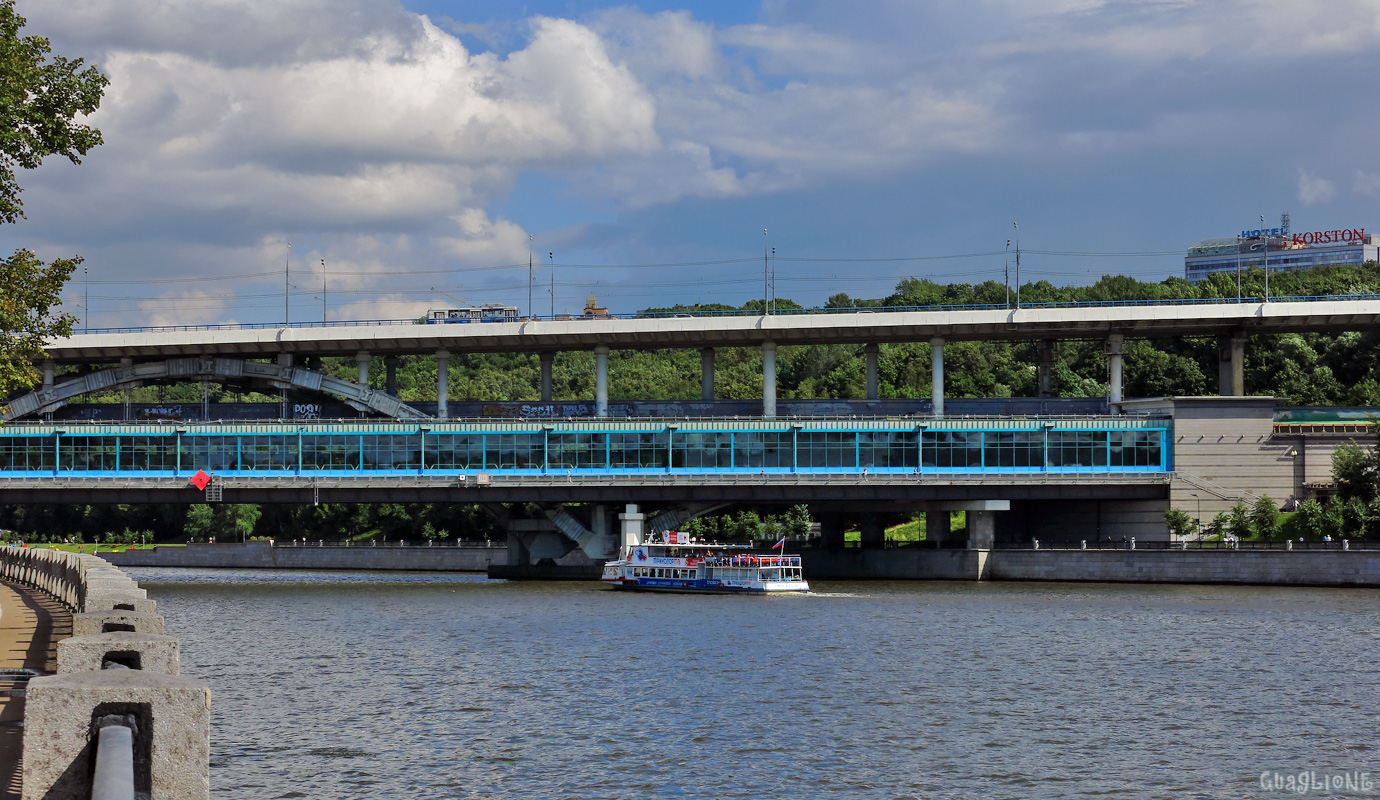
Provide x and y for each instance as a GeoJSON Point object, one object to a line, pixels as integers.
{"type": "Point", "coordinates": [31, 626]}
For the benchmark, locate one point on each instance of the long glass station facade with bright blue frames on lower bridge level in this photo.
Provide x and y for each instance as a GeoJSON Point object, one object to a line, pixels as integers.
{"type": "Point", "coordinates": [1107, 445]}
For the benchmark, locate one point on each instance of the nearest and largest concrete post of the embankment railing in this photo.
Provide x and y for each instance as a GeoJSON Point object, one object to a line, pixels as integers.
{"type": "Point", "coordinates": [172, 746]}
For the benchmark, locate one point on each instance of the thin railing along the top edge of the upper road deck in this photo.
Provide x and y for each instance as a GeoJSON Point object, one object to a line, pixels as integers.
{"type": "Point", "coordinates": [750, 314]}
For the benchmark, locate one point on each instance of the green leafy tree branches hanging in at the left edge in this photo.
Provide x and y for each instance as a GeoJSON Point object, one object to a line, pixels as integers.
{"type": "Point", "coordinates": [41, 103]}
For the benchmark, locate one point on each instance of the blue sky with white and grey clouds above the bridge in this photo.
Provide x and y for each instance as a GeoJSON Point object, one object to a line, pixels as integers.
{"type": "Point", "coordinates": [401, 157]}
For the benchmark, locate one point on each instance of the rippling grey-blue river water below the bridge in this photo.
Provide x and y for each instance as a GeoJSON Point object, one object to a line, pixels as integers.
{"type": "Point", "coordinates": [372, 685]}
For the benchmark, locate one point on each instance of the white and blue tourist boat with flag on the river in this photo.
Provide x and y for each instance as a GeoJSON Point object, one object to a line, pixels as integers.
{"type": "Point", "coordinates": [677, 565]}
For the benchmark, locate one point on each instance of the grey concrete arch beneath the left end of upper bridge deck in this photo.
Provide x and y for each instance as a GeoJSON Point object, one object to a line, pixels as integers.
{"type": "Point", "coordinates": [50, 398]}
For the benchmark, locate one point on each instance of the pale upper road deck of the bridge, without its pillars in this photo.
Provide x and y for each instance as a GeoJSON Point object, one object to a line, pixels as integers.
{"type": "Point", "coordinates": [814, 328]}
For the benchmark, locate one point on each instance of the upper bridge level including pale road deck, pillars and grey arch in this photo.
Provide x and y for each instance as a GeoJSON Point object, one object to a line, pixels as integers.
{"type": "Point", "coordinates": [239, 352]}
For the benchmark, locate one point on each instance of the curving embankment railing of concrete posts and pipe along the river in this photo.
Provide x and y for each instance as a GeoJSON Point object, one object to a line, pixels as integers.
{"type": "Point", "coordinates": [118, 672]}
